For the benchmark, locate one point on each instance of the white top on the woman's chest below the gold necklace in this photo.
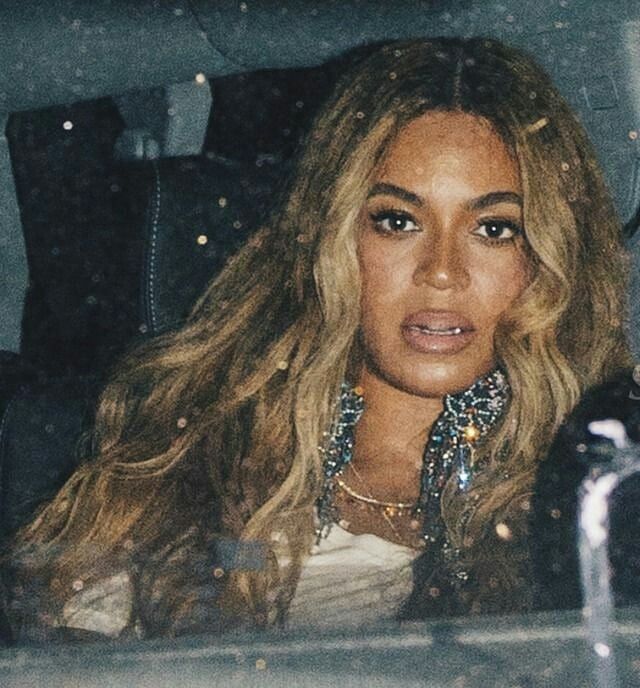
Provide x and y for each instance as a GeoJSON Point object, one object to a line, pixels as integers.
{"type": "Point", "coordinates": [351, 581]}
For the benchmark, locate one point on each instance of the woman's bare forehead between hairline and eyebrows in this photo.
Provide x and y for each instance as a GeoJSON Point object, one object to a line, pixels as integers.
{"type": "Point", "coordinates": [441, 149]}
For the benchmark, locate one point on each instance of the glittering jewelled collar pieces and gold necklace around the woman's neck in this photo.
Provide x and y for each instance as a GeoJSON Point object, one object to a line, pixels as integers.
{"type": "Point", "coordinates": [466, 418]}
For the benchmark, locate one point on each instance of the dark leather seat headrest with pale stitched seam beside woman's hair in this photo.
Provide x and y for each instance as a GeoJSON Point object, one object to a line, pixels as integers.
{"type": "Point", "coordinates": [198, 213]}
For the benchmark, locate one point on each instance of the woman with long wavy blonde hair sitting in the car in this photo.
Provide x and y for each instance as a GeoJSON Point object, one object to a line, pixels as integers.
{"type": "Point", "coordinates": [447, 266]}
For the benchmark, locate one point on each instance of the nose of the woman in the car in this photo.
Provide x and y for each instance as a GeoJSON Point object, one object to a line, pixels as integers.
{"type": "Point", "coordinates": [441, 262]}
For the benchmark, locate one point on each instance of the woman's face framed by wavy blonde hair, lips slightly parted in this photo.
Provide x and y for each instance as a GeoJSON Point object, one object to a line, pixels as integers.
{"type": "Point", "coordinates": [441, 254]}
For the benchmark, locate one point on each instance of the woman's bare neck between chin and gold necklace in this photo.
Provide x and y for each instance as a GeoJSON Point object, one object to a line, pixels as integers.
{"type": "Point", "coordinates": [391, 436]}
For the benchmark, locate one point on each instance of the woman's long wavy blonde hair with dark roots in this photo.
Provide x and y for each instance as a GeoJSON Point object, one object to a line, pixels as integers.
{"type": "Point", "coordinates": [217, 425]}
